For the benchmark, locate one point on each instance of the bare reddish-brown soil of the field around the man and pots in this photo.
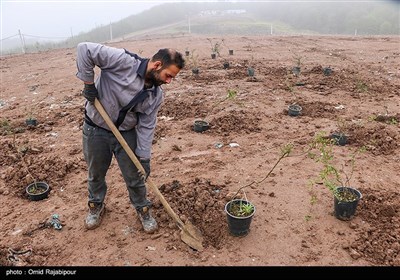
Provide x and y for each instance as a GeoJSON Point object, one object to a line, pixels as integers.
{"type": "Point", "coordinates": [197, 173]}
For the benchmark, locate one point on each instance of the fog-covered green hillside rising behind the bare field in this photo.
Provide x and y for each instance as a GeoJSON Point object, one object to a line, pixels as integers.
{"type": "Point", "coordinates": [236, 18]}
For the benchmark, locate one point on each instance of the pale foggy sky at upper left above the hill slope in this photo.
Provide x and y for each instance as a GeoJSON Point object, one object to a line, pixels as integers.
{"type": "Point", "coordinates": [56, 18]}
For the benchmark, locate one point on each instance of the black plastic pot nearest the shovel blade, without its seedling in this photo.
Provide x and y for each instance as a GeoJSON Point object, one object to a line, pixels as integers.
{"type": "Point", "coordinates": [238, 225]}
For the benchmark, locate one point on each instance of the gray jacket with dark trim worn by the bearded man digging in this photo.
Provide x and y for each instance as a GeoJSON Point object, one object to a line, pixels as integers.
{"type": "Point", "coordinates": [120, 79]}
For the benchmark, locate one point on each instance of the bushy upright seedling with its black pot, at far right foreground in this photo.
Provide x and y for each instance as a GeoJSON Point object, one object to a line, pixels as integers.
{"type": "Point", "coordinates": [336, 179]}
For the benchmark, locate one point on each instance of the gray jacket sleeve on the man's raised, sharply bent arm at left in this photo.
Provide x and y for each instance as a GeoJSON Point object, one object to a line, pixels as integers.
{"type": "Point", "coordinates": [90, 55]}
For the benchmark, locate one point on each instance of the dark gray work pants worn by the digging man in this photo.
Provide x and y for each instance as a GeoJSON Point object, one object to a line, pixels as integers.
{"type": "Point", "coordinates": [99, 145]}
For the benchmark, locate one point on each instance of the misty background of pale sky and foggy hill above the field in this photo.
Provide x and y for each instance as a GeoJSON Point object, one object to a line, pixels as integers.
{"type": "Point", "coordinates": [38, 26]}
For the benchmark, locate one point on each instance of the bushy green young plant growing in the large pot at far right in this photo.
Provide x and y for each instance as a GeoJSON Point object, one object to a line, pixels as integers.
{"type": "Point", "coordinates": [332, 176]}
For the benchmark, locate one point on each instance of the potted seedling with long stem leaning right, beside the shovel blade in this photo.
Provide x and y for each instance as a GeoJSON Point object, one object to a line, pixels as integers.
{"type": "Point", "coordinates": [239, 212]}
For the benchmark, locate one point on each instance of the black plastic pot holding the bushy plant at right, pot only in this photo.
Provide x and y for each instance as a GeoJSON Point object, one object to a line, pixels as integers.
{"type": "Point", "coordinates": [345, 210]}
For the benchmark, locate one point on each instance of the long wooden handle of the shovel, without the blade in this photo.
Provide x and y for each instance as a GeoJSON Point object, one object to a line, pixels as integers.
{"type": "Point", "coordinates": [137, 163]}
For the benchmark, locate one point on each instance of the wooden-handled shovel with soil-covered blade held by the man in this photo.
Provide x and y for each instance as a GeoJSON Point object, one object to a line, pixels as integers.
{"type": "Point", "coordinates": [189, 233]}
